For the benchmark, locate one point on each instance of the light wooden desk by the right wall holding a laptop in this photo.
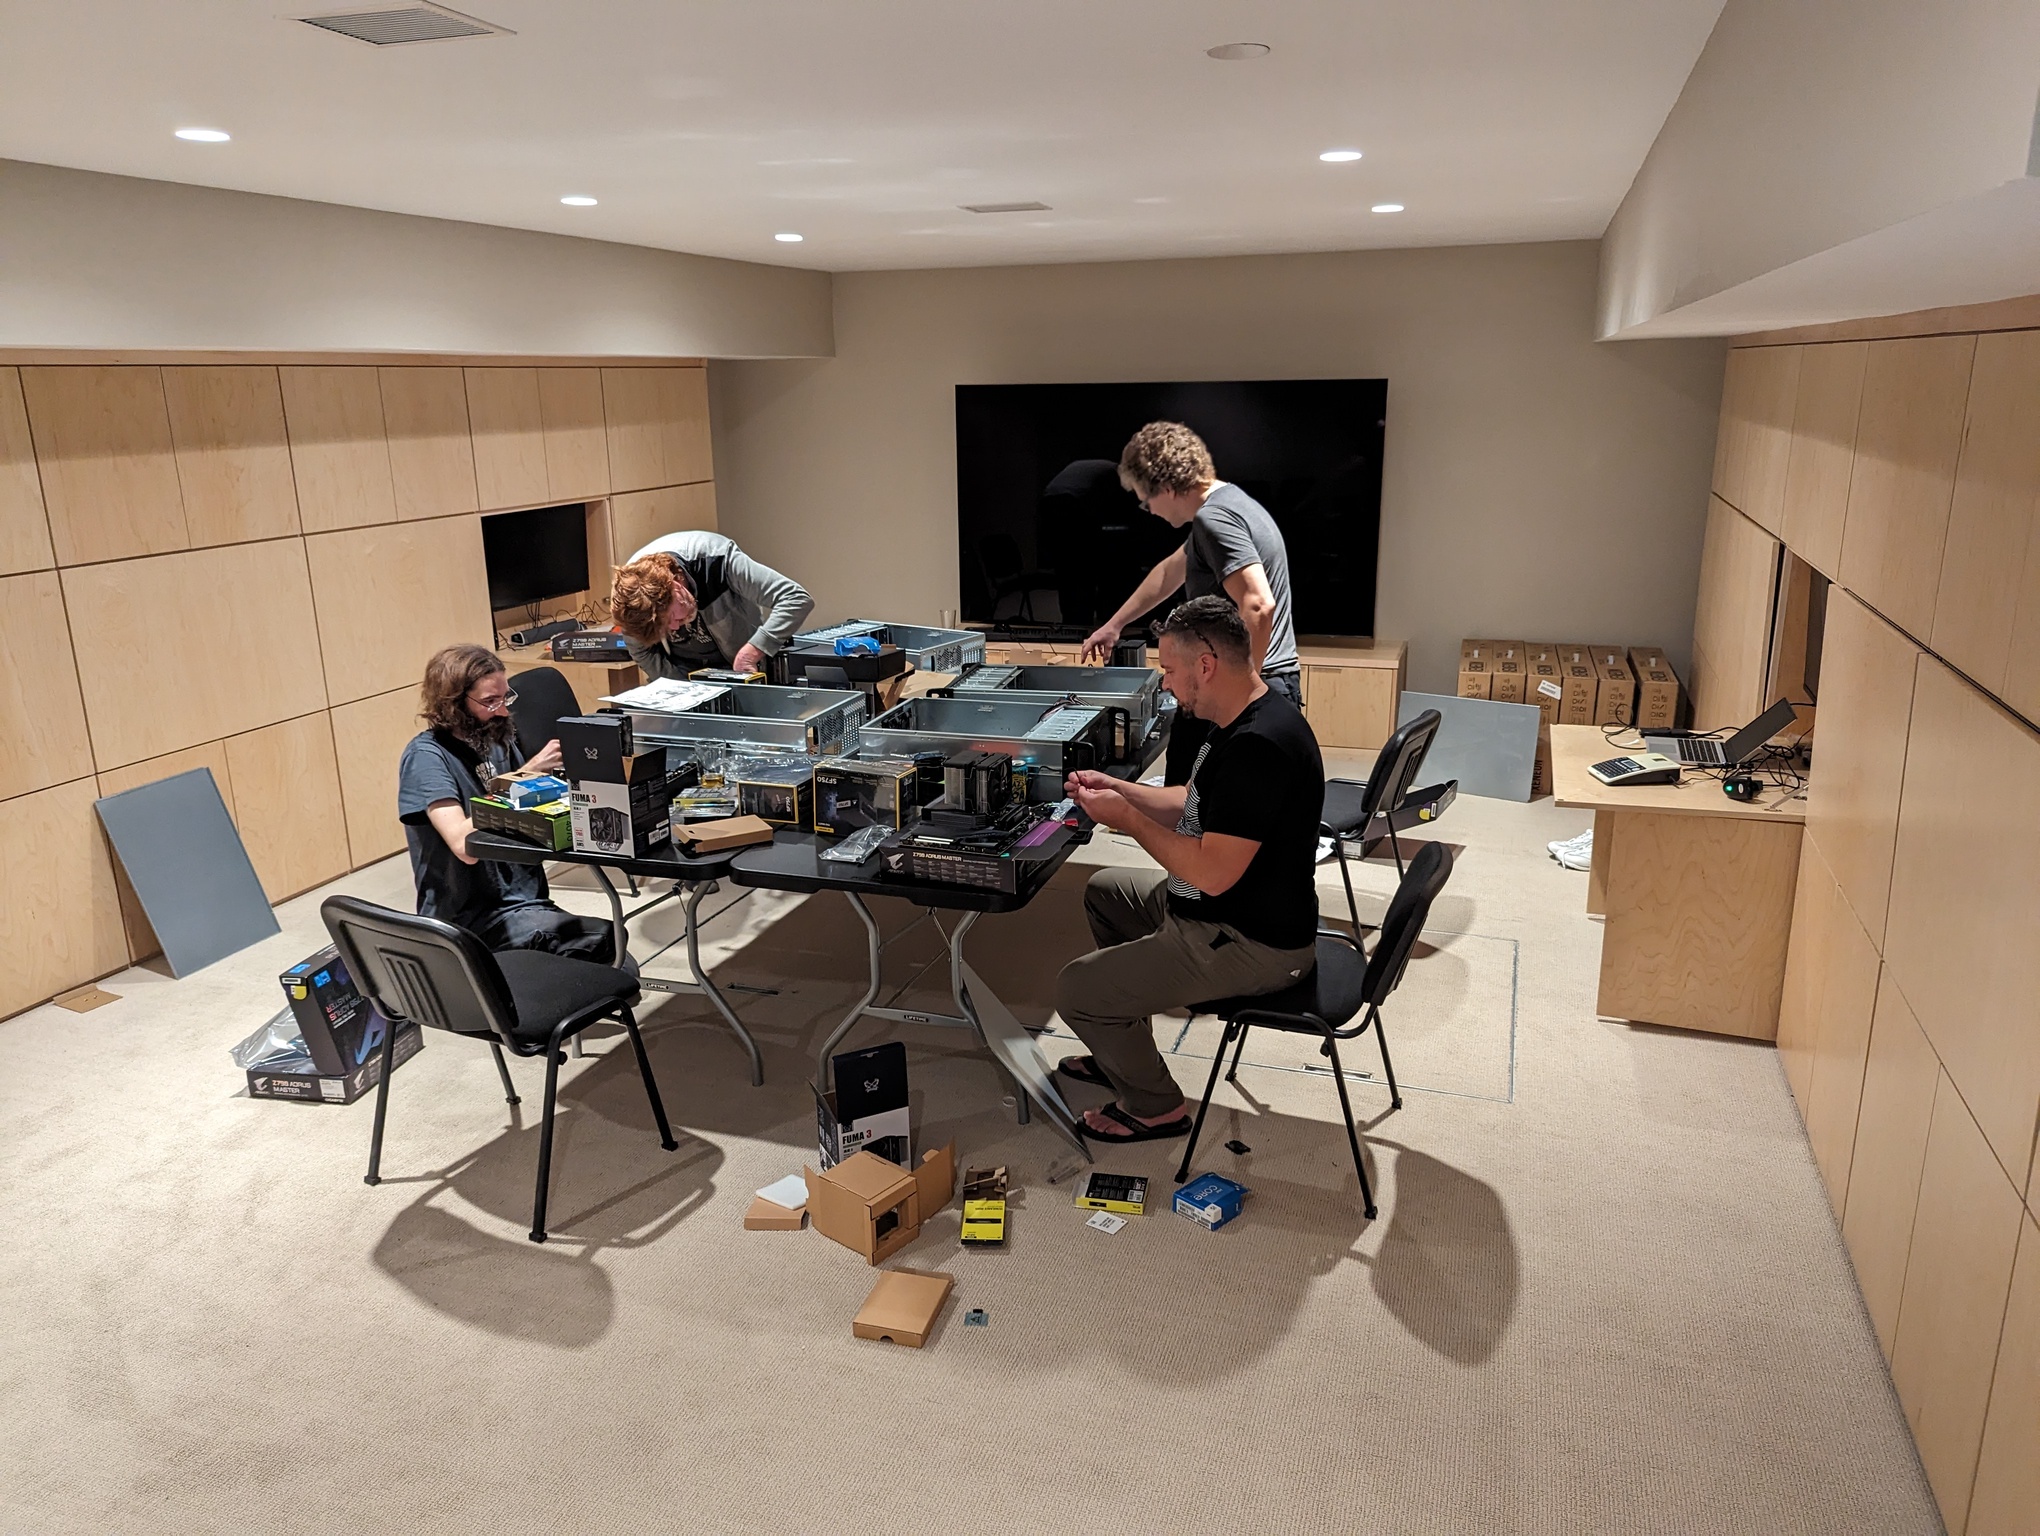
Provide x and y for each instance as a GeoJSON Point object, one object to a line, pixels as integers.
{"type": "Point", "coordinates": [1696, 892]}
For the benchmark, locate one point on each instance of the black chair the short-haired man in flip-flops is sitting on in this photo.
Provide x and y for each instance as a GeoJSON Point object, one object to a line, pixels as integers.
{"type": "Point", "coordinates": [1333, 996]}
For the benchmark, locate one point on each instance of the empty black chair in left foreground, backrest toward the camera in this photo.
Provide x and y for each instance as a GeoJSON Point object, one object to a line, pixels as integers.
{"type": "Point", "coordinates": [427, 972]}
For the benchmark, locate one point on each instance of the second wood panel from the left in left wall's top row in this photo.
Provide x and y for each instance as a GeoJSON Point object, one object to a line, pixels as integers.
{"type": "Point", "coordinates": [109, 470]}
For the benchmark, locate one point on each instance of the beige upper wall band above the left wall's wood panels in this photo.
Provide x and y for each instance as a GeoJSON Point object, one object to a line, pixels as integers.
{"type": "Point", "coordinates": [115, 262]}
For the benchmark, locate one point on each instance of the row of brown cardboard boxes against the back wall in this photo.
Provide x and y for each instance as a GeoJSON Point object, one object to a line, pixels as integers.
{"type": "Point", "coordinates": [1572, 684]}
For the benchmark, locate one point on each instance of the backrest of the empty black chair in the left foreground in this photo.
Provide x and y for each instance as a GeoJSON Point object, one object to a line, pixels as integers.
{"type": "Point", "coordinates": [421, 970]}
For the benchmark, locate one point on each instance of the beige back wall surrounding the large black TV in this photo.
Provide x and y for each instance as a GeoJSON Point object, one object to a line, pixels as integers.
{"type": "Point", "coordinates": [1537, 484]}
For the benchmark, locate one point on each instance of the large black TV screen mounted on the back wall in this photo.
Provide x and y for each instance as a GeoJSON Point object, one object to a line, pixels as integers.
{"type": "Point", "coordinates": [1050, 542]}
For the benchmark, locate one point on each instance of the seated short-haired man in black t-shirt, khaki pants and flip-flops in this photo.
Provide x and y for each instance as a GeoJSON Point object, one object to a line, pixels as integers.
{"type": "Point", "coordinates": [1233, 909]}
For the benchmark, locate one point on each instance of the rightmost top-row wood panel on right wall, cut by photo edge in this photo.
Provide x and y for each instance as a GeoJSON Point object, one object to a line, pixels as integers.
{"type": "Point", "coordinates": [1986, 574]}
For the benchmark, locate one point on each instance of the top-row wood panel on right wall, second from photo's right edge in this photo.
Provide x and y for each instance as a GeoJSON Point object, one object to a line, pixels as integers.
{"type": "Point", "coordinates": [1908, 440]}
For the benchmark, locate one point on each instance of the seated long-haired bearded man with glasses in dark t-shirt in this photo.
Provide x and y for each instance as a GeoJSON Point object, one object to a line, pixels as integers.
{"type": "Point", "coordinates": [468, 741]}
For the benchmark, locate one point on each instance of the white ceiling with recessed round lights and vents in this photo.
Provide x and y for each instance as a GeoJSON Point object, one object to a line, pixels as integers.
{"type": "Point", "coordinates": [711, 125]}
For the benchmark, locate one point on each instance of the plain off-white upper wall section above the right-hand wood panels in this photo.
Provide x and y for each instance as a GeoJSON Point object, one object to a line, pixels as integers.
{"type": "Point", "coordinates": [1813, 123]}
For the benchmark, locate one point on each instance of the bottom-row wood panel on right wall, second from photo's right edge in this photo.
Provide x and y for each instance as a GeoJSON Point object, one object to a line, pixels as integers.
{"type": "Point", "coordinates": [1957, 1284]}
